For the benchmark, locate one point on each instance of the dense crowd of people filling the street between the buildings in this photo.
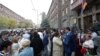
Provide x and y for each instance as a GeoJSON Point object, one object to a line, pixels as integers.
{"type": "Point", "coordinates": [49, 42]}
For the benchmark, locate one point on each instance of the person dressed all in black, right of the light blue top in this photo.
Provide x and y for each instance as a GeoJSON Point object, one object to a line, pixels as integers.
{"type": "Point", "coordinates": [36, 43]}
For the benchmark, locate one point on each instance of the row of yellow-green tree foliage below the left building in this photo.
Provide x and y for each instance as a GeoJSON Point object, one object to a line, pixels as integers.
{"type": "Point", "coordinates": [6, 22]}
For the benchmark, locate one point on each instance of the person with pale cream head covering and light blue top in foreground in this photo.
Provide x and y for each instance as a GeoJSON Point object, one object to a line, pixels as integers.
{"type": "Point", "coordinates": [26, 50]}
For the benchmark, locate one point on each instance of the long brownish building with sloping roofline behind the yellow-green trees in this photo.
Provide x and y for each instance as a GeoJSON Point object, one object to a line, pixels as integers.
{"type": "Point", "coordinates": [8, 13]}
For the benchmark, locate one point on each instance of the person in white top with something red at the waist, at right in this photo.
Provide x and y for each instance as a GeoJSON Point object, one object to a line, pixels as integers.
{"type": "Point", "coordinates": [88, 45]}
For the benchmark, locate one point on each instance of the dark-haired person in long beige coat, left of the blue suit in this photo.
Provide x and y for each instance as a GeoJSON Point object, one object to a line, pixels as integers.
{"type": "Point", "coordinates": [57, 45]}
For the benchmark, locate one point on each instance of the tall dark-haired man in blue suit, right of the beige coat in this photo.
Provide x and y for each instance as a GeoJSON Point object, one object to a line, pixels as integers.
{"type": "Point", "coordinates": [69, 42]}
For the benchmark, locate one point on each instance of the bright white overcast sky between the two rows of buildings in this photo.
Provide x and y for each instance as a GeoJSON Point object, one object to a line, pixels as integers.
{"type": "Point", "coordinates": [28, 8]}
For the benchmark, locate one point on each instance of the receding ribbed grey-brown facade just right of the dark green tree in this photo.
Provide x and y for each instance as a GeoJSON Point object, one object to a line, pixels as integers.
{"type": "Point", "coordinates": [52, 15]}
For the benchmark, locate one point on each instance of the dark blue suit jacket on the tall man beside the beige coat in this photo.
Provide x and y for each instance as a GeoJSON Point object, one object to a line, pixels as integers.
{"type": "Point", "coordinates": [69, 42]}
